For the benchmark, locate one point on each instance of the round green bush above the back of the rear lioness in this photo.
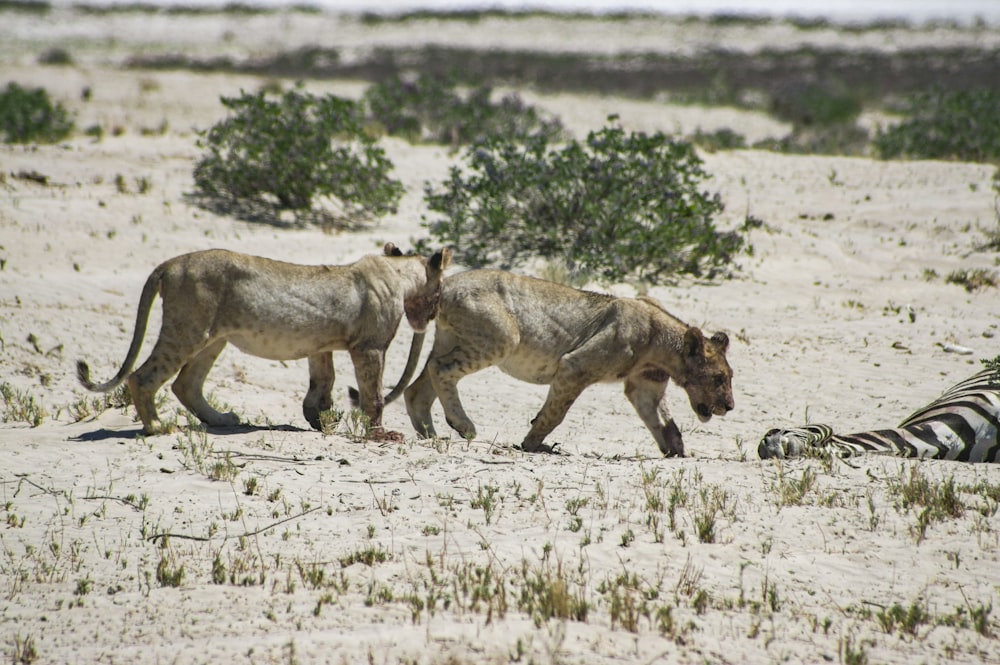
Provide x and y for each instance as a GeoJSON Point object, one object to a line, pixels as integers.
{"type": "Point", "coordinates": [285, 153]}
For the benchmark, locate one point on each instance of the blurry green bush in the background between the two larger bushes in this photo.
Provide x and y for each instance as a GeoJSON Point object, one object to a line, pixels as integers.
{"type": "Point", "coordinates": [430, 109]}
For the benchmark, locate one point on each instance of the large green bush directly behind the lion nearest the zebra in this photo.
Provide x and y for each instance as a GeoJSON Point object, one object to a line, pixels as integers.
{"type": "Point", "coordinates": [617, 206]}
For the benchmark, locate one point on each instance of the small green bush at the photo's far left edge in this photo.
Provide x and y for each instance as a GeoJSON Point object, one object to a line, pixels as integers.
{"type": "Point", "coordinates": [29, 116]}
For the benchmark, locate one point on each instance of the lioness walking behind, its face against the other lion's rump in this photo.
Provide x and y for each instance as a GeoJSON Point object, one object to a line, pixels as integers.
{"type": "Point", "coordinates": [275, 310]}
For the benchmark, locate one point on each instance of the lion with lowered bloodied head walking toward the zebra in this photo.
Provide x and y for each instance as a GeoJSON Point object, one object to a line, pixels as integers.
{"type": "Point", "coordinates": [549, 334]}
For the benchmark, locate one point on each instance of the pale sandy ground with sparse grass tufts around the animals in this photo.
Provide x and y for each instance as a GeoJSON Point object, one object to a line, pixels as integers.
{"type": "Point", "coordinates": [323, 549]}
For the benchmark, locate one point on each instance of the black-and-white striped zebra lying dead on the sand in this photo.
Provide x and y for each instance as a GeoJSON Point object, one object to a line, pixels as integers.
{"type": "Point", "coordinates": [961, 425]}
